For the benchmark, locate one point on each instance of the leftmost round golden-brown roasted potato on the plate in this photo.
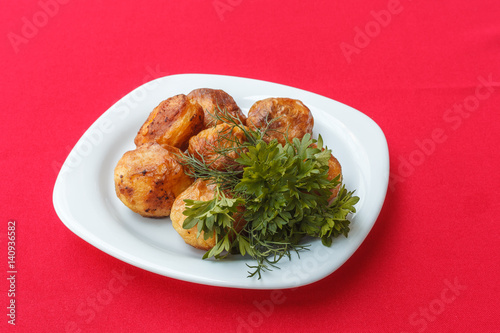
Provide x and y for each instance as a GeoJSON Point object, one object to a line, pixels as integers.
{"type": "Point", "coordinates": [149, 178]}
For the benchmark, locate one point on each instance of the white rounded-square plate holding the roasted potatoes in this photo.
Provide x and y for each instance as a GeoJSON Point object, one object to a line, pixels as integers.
{"type": "Point", "coordinates": [85, 200]}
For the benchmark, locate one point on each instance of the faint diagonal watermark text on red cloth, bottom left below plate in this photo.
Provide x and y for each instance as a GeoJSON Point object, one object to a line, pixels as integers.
{"type": "Point", "coordinates": [89, 308]}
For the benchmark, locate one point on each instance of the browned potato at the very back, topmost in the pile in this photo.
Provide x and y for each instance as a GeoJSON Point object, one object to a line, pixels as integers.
{"type": "Point", "coordinates": [214, 100]}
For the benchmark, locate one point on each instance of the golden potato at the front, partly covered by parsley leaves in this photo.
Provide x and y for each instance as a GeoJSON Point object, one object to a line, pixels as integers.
{"type": "Point", "coordinates": [201, 190]}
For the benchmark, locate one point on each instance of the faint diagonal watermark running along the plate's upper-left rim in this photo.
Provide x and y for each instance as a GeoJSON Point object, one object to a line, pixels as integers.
{"type": "Point", "coordinates": [96, 135]}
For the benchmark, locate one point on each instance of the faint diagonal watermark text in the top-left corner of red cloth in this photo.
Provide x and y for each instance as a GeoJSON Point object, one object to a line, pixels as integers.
{"type": "Point", "coordinates": [31, 25]}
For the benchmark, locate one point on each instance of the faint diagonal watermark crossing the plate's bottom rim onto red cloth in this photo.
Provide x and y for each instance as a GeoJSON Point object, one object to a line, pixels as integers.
{"type": "Point", "coordinates": [294, 276]}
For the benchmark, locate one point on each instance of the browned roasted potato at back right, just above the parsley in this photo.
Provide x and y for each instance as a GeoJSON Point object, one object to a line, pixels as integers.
{"type": "Point", "coordinates": [285, 118]}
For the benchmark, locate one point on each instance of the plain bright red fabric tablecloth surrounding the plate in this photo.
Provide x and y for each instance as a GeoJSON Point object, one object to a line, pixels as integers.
{"type": "Point", "coordinates": [412, 74]}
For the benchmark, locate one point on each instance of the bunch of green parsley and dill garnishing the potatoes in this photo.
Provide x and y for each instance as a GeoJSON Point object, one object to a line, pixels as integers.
{"type": "Point", "coordinates": [285, 191]}
